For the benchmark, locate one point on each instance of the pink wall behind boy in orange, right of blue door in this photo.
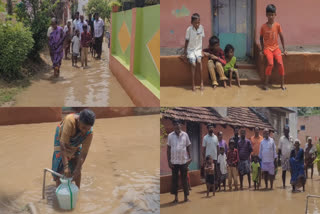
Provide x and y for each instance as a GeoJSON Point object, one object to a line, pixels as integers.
{"type": "Point", "coordinates": [299, 20]}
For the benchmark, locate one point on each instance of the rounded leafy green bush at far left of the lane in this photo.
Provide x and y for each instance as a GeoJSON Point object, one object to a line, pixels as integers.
{"type": "Point", "coordinates": [15, 43]}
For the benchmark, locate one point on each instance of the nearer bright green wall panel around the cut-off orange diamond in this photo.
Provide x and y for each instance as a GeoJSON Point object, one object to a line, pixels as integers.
{"type": "Point", "coordinates": [147, 25]}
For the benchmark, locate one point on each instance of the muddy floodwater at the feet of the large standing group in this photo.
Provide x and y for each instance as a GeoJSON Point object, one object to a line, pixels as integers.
{"type": "Point", "coordinates": [247, 201]}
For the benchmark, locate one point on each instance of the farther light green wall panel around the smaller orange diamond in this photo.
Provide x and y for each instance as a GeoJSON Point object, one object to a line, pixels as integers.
{"type": "Point", "coordinates": [117, 20]}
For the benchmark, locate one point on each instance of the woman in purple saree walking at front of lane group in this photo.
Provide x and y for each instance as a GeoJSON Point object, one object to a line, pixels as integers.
{"type": "Point", "coordinates": [56, 46]}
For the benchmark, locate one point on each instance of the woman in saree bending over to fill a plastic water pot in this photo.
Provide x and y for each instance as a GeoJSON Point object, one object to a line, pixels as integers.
{"type": "Point", "coordinates": [71, 145]}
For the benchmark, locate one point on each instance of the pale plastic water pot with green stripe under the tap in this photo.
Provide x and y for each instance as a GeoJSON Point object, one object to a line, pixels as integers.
{"type": "Point", "coordinates": [67, 194]}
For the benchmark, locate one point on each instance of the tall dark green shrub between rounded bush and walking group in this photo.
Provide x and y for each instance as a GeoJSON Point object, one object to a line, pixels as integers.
{"type": "Point", "coordinates": [36, 15]}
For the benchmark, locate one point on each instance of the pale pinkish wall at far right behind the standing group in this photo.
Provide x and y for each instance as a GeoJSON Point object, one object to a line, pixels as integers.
{"type": "Point", "coordinates": [312, 124]}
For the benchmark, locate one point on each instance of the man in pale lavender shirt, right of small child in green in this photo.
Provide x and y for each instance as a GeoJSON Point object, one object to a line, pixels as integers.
{"type": "Point", "coordinates": [268, 156]}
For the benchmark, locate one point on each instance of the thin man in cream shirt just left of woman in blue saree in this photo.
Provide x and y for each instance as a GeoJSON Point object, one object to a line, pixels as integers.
{"type": "Point", "coordinates": [284, 151]}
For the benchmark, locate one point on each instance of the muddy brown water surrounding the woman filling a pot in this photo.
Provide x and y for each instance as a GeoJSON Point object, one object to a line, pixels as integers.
{"type": "Point", "coordinates": [120, 175]}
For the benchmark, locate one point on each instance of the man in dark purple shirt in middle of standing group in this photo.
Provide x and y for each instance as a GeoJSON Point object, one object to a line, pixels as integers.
{"type": "Point", "coordinates": [244, 149]}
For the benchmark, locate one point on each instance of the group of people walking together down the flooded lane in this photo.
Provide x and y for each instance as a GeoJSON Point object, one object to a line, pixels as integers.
{"type": "Point", "coordinates": [80, 35]}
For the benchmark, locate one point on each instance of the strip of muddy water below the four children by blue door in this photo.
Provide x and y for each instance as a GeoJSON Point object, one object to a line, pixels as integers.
{"type": "Point", "coordinates": [247, 95]}
